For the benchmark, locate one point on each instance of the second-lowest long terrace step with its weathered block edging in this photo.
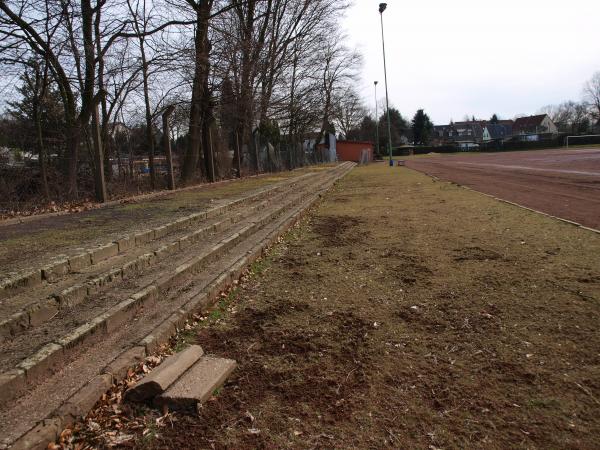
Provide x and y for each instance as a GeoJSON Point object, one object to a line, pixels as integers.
{"type": "Point", "coordinates": [57, 340]}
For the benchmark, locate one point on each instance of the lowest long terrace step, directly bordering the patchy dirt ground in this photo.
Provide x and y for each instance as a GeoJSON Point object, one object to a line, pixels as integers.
{"type": "Point", "coordinates": [114, 352]}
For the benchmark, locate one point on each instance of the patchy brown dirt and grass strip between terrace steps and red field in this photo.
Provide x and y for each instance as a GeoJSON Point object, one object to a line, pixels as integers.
{"type": "Point", "coordinates": [401, 313]}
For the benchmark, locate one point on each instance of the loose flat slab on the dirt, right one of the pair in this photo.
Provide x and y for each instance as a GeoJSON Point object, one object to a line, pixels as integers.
{"type": "Point", "coordinates": [196, 385]}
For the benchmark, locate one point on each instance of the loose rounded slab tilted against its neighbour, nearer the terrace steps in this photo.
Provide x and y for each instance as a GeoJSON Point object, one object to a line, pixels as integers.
{"type": "Point", "coordinates": [164, 375]}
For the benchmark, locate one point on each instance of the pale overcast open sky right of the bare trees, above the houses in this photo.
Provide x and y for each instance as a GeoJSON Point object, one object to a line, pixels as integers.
{"type": "Point", "coordinates": [477, 57]}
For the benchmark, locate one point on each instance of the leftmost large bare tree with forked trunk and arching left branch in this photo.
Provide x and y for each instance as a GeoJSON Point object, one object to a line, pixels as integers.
{"type": "Point", "coordinates": [52, 38]}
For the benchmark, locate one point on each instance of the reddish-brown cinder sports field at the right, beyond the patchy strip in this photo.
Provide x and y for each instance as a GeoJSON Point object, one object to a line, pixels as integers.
{"type": "Point", "coordinates": [564, 183]}
